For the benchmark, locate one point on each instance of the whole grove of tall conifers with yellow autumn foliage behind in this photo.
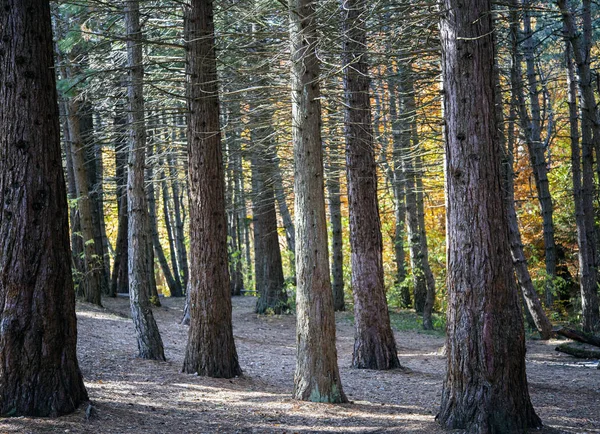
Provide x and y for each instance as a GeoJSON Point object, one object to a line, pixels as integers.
{"type": "Point", "coordinates": [439, 157]}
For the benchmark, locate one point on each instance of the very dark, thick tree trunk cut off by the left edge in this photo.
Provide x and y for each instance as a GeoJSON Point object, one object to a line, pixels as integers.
{"type": "Point", "coordinates": [40, 374]}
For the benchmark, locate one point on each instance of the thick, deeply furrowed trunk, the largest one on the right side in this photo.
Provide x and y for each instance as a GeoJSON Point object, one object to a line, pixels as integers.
{"type": "Point", "coordinates": [485, 389]}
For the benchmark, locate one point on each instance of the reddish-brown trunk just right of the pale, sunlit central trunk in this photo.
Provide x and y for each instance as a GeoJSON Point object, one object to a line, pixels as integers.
{"type": "Point", "coordinates": [374, 344]}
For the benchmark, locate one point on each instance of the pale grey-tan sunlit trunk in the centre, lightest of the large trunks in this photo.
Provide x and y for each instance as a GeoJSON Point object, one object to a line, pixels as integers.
{"type": "Point", "coordinates": [317, 376]}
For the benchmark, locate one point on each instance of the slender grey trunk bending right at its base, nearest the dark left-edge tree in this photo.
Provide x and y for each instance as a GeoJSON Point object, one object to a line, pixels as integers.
{"type": "Point", "coordinates": [141, 269]}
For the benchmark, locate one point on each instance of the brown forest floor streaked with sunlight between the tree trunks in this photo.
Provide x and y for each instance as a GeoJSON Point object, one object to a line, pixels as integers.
{"type": "Point", "coordinates": [131, 395]}
